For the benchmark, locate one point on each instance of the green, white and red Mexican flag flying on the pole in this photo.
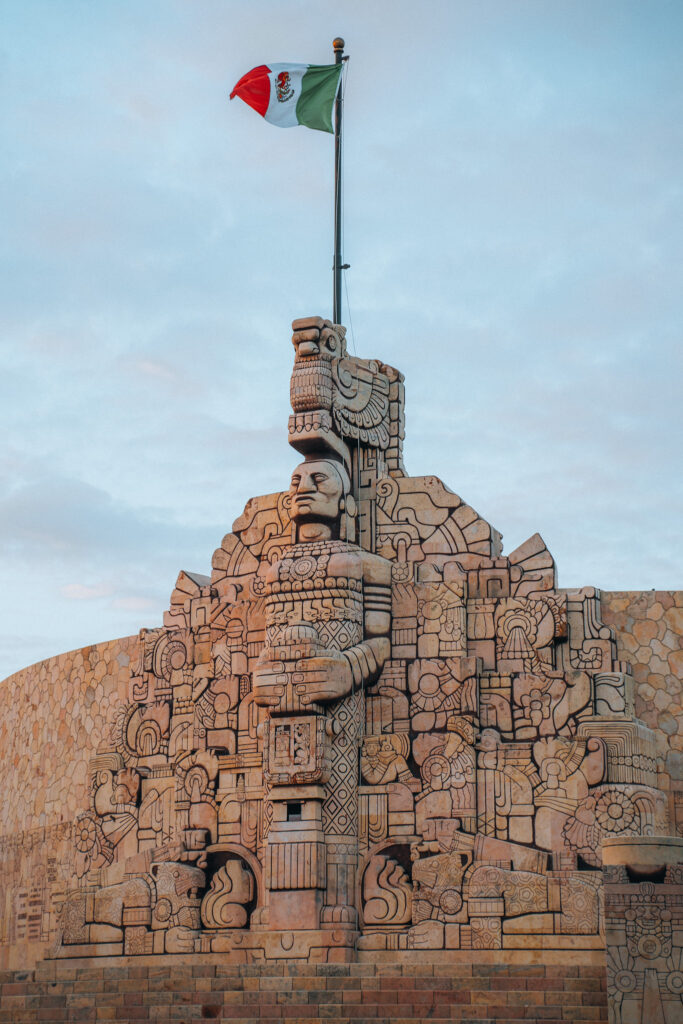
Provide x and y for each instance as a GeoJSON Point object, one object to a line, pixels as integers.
{"type": "Point", "coordinates": [292, 95]}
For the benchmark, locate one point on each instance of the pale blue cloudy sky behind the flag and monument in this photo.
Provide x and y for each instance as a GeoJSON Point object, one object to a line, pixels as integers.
{"type": "Point", "coordinates": [513, 221]}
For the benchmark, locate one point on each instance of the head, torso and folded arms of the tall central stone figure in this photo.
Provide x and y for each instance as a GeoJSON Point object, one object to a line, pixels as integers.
{"type": "Point", "coordinates": [327, 599]}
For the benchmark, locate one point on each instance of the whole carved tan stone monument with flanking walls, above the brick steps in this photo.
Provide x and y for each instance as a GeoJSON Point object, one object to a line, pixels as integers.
{"type": "Point", "coordinates": [368, 735]}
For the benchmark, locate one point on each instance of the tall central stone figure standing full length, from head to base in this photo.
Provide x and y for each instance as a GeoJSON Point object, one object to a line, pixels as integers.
{"type": "Point", "coordinates": [327, 635]}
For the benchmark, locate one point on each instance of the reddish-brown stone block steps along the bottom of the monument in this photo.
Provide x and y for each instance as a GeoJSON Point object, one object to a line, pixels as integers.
{"type": "Point", "coordinates": [182, 990]}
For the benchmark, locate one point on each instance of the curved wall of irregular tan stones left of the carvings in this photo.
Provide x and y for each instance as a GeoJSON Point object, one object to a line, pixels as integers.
{"type": "Point", "coordinates": [54, 715]}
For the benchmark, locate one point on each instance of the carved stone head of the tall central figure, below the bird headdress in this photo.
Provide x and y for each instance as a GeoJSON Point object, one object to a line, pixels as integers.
{"type": "Point", "coordinates": [320, 493]}
